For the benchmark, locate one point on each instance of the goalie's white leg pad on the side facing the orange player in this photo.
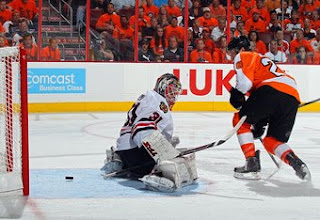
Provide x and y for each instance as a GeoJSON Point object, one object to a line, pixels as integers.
{"type": "Point", "coordinates": [182, 170]}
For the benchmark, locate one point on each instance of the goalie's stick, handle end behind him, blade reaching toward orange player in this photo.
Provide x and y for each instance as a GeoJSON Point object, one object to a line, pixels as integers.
{"type": "Point", "coordinates": [189, 151]}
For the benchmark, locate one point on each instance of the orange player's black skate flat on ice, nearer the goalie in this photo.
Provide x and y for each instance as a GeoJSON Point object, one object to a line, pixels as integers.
{"type": "Point", "coordinates": [251, 170]}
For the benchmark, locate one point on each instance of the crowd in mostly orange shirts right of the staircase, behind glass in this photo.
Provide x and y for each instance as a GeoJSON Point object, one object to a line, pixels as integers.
{"type": "Point", "coordinates": [287, 31]}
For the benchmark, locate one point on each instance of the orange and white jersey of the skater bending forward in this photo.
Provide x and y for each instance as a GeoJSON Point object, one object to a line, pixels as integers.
{"type": "Point", "coordinates": [254, 70]}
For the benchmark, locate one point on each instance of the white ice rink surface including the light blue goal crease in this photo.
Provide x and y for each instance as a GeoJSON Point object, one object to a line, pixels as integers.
{"type": "Point", "coordinates": [74, 145]}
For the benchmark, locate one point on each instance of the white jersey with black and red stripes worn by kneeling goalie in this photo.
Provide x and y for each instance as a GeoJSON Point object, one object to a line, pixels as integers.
{"type": "Point", "coordinates": [150, 112]}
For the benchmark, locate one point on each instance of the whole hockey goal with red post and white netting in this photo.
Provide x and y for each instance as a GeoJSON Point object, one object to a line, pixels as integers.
{"type": "Point", "coordinates": [14, 166]}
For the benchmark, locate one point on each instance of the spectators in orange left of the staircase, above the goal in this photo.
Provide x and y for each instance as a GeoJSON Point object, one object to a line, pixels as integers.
{"type": "Point", "coordinates": [19, 27]}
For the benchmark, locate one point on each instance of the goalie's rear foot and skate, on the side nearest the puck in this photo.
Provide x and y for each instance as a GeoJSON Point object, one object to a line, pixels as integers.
{"type": "Point", "coordinates": [113, 162]}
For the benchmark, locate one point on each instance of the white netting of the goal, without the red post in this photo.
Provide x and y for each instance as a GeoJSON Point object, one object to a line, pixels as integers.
{"type": "Point", "coordinates": [10, 121]}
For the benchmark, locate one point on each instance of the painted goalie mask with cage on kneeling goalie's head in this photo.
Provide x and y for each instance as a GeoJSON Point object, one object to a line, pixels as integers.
{"type": "Point", "coordinates": [168, 86]}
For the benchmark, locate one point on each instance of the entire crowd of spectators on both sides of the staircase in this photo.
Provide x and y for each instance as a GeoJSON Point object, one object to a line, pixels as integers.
{"type": "Point", "coordinates": [287, 31]}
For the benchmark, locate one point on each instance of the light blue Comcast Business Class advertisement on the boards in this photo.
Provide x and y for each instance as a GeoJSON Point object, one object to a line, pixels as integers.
{"type": "Point", "coordinates": [56, 80]}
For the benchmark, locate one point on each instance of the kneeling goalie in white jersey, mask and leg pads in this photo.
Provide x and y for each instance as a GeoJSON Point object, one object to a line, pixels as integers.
{"type": "Point", "coordinates": [146, 141]}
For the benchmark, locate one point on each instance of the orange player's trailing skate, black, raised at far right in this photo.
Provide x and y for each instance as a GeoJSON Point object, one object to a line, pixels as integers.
{"type": "Point", "coordinates": [300, 167]}
